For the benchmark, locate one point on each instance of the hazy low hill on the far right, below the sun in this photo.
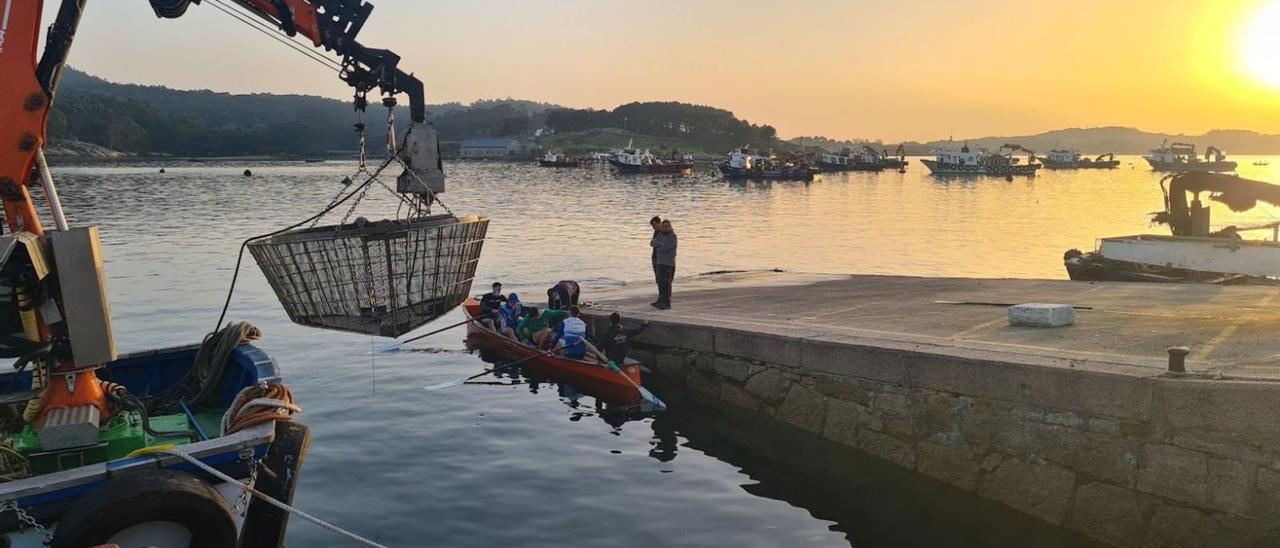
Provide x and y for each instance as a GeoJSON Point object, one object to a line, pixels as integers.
{"type": "Point", "coordinates": [1119, 141]}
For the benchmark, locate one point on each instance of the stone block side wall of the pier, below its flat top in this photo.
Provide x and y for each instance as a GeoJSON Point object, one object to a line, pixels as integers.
{"type": "Point", "coordinates": [1130, 456]}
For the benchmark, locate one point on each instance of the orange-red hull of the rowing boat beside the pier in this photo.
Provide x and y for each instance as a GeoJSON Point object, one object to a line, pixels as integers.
{"type": "Point", "coordinates": [588, 377]}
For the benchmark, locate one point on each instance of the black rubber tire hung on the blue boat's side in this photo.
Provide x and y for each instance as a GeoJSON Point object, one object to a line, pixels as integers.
{"type": "Point", "coordinates": [150, 496]}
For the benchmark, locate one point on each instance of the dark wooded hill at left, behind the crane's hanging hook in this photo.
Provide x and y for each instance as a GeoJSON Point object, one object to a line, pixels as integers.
{"type": "Point", "coordinates": [161, 121]}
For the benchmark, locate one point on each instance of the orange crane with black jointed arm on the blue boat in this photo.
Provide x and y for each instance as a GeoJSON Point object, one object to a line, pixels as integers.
{"type": "Point", "coordinates": [26, 99]}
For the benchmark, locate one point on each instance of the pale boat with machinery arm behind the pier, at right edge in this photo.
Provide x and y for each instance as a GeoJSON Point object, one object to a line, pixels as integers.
{"type": "Point", "coordinates": [1195, 253]}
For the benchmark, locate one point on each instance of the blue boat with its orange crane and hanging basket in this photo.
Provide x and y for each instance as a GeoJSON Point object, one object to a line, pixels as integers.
{"type": "Point", "coordinates": [147, 449]}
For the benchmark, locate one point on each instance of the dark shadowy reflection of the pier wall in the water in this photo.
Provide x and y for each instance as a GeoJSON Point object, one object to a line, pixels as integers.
{"type": "Point", "coordinates": [870, 501]}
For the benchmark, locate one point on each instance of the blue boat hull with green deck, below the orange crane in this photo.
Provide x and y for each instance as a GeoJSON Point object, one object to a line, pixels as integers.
{"type": "Point", "coordinates": [132, 482]}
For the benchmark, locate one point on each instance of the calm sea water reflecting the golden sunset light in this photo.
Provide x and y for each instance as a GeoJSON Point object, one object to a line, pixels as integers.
{"type": "Point", "coordinates": [520, 465]}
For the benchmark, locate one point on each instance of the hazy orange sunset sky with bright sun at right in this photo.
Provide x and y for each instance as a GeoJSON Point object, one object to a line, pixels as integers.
{"type": "Point", "coordinates": [890, 70]}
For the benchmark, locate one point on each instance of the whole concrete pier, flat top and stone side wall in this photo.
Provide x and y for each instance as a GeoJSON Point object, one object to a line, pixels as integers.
{"type": "Point", "coordinates": [1082, 427]}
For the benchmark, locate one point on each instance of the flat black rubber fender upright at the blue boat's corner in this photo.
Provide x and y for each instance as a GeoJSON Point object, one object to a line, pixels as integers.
{"type": "Point", "coordinates": [266, 524]}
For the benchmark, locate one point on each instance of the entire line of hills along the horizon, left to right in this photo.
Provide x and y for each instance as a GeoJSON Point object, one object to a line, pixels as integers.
{"type": "Point", "coordinates": [103, 118]}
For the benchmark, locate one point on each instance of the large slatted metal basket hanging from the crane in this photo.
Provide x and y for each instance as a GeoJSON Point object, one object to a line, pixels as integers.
{"type": "Point", "coordinates": [383, 278]}
